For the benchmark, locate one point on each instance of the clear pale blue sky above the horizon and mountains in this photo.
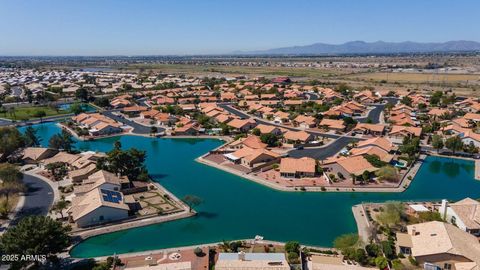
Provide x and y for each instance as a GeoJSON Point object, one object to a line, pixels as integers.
{"type": "Point", "coordinates": [143, 27]}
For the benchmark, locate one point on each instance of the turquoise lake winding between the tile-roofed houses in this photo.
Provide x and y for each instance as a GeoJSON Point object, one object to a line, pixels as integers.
{"type": "Point", "coordinates": [236, 208]}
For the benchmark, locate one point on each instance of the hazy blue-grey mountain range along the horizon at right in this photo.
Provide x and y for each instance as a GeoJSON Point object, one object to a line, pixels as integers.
{"type": "Point", "coordinates": [362, 47]}
